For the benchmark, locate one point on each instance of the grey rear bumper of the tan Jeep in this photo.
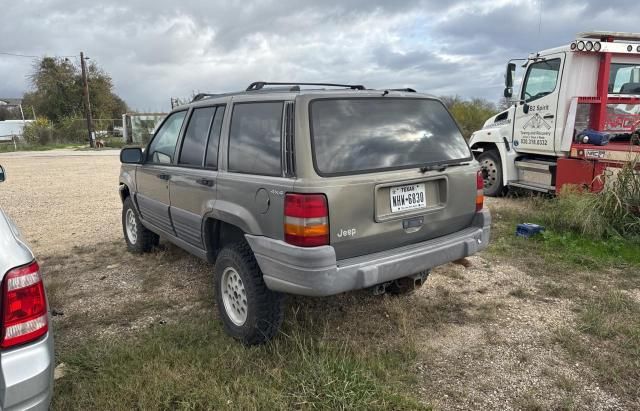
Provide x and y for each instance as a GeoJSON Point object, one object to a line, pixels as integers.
{"type": "Point", "coordinates": [316, 272]}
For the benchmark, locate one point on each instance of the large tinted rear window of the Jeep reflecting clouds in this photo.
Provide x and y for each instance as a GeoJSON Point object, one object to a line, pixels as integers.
{"type": "Point", "coordinates": [360, 135]}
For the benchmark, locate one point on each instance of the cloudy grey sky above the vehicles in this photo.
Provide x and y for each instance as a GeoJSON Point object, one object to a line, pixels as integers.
{"type": "Point", "coordinates": [157, 49]}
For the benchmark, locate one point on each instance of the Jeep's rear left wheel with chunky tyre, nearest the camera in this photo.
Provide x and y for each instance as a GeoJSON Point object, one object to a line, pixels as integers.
{"type": "Point", "coordinates": [250, 311]}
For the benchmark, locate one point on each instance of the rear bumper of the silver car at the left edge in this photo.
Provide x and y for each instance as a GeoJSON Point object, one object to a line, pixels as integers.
{"type": "Point", "coordinates": [27, 376]}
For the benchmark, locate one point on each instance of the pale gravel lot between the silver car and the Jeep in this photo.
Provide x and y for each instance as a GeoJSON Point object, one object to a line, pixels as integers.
{"type": "Point", "coordinates": [63, 198]}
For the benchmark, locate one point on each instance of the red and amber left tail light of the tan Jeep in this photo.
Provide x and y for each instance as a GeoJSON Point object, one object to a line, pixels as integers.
{"type": "Point", "coordinates": [306, 220]}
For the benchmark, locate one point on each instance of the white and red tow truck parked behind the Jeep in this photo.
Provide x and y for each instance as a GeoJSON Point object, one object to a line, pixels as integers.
{"type": "Point", "coordinates": [575, 121]}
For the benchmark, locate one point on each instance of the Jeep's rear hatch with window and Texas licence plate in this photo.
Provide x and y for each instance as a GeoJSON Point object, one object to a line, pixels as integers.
{"type": "Point", "coordinates": [395, 171]}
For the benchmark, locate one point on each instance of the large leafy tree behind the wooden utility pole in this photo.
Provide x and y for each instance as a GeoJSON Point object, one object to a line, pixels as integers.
{"type": "Point", "coordinates": [57, 91]}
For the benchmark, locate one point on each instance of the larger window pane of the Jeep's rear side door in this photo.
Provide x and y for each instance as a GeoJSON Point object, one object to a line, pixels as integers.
{"type": "Point", "coordinates": [195, 138]}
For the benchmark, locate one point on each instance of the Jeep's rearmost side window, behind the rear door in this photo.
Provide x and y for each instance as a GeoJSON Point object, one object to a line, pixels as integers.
{"type": "Point", "coordinates": [255, 138]}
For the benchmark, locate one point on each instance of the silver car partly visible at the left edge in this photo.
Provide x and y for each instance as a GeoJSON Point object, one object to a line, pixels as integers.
{"type": "Point", "coordinates": [26, 343]}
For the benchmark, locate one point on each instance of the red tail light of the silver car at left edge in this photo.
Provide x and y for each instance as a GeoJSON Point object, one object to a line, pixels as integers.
{"type": "Point", "coordinates": [24, 306]}
